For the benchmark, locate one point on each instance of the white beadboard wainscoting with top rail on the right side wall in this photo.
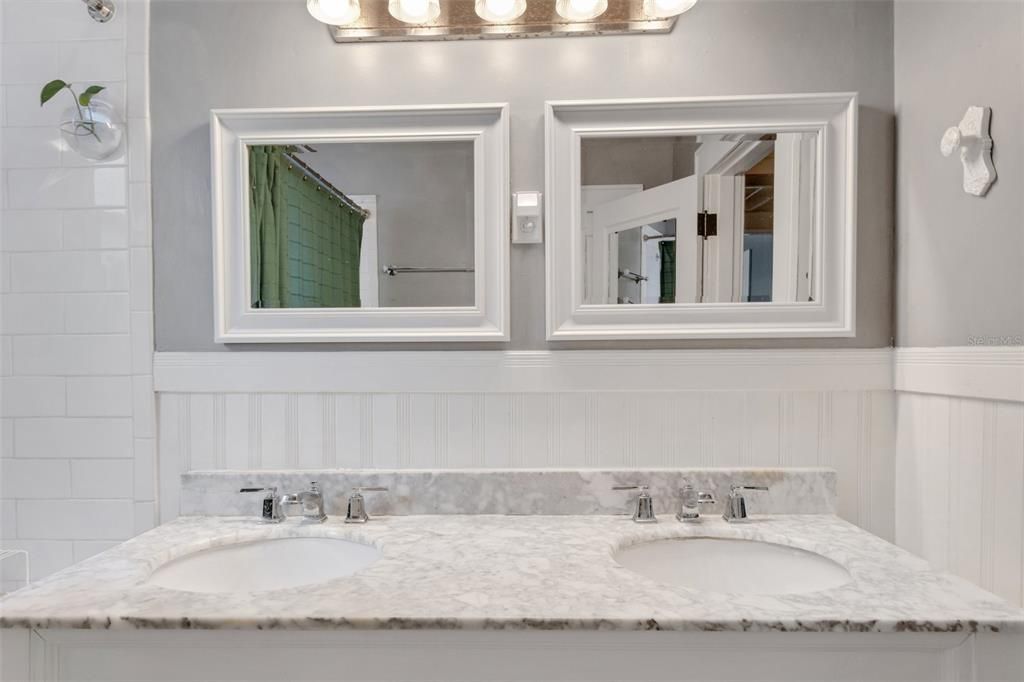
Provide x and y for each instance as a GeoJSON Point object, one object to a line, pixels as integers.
{"type": "Point", "coordinates": [960, 464]}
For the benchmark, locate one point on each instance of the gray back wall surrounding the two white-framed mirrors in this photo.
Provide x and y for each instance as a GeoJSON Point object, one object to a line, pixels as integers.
{"type": "Point", "coordinates": [231, 54]}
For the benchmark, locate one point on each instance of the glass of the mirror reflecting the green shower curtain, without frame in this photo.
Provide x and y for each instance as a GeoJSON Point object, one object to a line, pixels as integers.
{"type": "Point", "coordinates": [362, 225]}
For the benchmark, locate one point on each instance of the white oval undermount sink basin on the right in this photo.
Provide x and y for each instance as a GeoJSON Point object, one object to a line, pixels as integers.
{"type": "Point", "coordinates": [739, 567]}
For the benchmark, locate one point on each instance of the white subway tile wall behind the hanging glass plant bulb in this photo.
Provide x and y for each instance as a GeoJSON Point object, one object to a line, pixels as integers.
{"type": "Point", "coordinates": [77, 414]}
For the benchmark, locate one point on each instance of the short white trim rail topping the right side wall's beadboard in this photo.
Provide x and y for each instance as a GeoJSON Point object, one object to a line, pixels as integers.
{"type": "Point", "coordinates": [976, 372]}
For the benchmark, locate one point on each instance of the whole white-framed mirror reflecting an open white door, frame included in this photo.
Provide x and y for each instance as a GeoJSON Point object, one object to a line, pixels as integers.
{"type": "Point", "coordinates": [717, 218]}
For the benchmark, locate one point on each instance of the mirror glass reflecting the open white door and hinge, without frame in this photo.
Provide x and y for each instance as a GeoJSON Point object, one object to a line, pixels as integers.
{"type": "Point", "coordinates": [718, 219]}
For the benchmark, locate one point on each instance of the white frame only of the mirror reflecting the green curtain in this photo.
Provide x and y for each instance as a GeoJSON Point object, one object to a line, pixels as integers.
{"type": "Point", "coordinates": [486, 125]}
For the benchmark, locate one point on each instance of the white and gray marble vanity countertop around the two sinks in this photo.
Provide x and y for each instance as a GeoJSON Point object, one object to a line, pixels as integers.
{"type": "Point", "coordinates": [518, 573]}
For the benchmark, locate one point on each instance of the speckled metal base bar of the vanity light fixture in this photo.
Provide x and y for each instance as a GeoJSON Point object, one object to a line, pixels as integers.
{"type": "Point", "coordinates": [460, 22]}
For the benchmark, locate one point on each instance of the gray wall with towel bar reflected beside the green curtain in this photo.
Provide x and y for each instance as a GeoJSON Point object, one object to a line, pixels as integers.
{"type": "Point", "coordinates": [424, 212]}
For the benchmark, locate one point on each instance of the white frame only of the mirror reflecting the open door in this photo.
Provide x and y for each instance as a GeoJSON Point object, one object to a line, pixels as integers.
{"type": "Point", "coordinates": [833, 116]}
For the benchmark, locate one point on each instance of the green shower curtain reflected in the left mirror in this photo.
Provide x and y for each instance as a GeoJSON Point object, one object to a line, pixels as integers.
{"type": "Point", "coordinates": [306, 242]}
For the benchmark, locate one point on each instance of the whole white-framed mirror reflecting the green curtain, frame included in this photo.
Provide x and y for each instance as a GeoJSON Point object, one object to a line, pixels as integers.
{"type": "Point", "coordinates": [361, 225]}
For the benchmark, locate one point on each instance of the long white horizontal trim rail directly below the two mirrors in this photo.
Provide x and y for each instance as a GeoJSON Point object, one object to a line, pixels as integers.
{"type": "Point", "coordinates": [514, 372]}
